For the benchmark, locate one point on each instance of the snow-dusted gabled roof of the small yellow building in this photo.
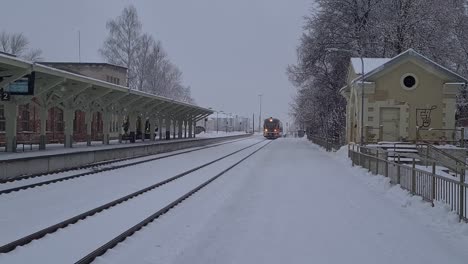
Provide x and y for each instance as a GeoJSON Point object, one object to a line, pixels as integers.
{"type": "Point", "coordinates": [381, 64]}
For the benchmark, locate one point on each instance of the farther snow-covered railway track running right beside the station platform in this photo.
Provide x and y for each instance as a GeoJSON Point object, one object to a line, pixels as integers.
{"type": "Point", "coordinates": [26, 182]}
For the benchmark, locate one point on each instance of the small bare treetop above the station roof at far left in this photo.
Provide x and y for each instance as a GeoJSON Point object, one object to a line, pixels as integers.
{"type": "Point", "coordinates": [17, 44]}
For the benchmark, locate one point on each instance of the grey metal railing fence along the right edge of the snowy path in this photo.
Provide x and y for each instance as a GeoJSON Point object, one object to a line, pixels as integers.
{"type": "Point", "coordinates": [429, 185]}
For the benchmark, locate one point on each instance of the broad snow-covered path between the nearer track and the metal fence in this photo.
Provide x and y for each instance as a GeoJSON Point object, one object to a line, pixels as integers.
{"type": "Point", "coordinates": [293, 203]}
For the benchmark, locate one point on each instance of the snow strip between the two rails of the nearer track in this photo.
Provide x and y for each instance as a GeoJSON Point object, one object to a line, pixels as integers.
{"type": "Point", "coordinates": [77, 240]}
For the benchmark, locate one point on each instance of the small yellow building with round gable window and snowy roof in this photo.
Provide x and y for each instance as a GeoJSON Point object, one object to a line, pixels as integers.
{"type": "Point", "coordinates": [405, 97]}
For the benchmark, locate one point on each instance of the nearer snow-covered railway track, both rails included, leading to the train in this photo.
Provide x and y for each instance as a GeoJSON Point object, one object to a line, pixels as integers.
{"type": "Point", "coordinates": [128, 206]}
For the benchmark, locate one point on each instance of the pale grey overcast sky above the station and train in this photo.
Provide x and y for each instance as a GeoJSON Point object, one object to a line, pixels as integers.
{"type": "Point", "coordinates": [229, 51]}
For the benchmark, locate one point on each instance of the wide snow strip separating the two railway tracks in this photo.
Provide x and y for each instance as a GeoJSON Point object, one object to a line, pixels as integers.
{"type": "Point", "coordinates": [30, 210]}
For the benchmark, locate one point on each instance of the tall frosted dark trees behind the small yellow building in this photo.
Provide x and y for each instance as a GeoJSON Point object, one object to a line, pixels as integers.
{"type": "Point", "coordinates": [373, 28]}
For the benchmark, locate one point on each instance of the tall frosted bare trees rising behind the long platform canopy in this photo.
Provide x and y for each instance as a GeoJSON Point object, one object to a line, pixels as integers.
{"type": "Point", "coordinates": [149, 68]}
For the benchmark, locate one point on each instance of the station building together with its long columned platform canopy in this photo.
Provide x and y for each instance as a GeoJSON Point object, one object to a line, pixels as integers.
{"type": "Point", "coordinates": [70, 102]}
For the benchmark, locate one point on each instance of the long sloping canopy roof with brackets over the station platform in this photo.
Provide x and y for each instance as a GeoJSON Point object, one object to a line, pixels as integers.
{"type": "Point", "coordinates": [58, 88]}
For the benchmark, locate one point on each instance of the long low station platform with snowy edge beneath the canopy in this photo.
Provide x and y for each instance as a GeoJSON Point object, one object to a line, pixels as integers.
{"type": "Point", "coordinates": [57, 158]}
